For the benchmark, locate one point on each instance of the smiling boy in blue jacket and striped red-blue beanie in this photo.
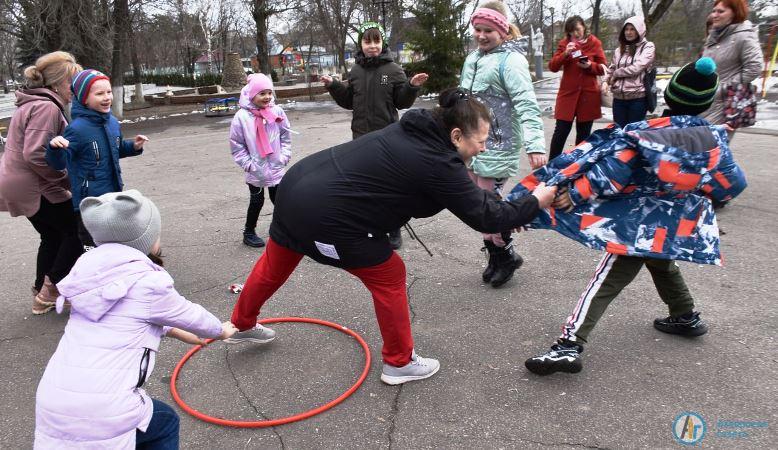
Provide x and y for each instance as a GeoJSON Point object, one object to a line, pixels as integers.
{"type": "Point", "coordinates": [92, 144]}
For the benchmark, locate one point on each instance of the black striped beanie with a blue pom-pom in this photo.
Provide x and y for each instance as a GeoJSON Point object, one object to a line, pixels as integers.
{"type": "Point", "coordinates": [692, 88]}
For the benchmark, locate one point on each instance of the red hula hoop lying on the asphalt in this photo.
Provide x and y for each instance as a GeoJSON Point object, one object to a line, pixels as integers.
{"type": "Point", "coordinates": [283, 420]}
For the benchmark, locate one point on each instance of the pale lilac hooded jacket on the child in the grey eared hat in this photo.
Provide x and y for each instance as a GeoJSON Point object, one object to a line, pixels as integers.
{"type": "Point", "coordinates": [121, 304]}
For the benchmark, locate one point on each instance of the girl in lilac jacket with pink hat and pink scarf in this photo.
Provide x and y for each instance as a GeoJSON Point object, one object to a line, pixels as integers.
{"type": "Point", "coordinates": [261, 146]}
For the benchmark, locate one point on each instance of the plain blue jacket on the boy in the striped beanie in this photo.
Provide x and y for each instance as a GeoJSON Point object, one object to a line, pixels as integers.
{"type": "Point", "coordinates": [92, 157]}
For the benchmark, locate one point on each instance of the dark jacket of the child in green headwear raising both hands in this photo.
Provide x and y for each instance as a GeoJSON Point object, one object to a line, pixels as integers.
{"type": "Point", "coordinates": [376, 89]}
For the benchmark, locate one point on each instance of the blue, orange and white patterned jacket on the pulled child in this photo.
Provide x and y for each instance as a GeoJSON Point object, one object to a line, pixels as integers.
{"type": "Point", "coordinates": [644, 190]}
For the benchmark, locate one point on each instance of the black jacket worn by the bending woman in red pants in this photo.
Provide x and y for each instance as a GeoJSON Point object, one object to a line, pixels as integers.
{"type": "Point", "coordinates": [337, 205]}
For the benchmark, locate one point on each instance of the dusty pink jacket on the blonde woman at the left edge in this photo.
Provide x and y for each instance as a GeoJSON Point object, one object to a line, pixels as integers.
{"type": "Point", "coordinates": [25, 175]}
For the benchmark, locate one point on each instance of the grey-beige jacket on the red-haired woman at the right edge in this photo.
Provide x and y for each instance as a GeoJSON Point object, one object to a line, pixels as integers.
{"type": "Point", "coordinates": [738, 57]}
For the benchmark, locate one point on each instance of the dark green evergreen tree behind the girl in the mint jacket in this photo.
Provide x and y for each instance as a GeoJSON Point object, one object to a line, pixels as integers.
{"type": "Point", "coordinates": [440, 36]}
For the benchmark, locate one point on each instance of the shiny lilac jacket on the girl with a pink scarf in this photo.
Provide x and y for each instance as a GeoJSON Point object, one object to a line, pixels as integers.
{"type": "Point", "coordinates": [260, 171]}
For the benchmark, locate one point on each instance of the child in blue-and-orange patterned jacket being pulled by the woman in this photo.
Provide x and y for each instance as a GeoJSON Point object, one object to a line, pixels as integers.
{"type": "Point", "coordinates": [640, 195]}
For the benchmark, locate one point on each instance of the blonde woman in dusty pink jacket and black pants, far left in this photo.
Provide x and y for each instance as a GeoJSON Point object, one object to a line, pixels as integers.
{"type": "Point", "coordinates": [29, 186]}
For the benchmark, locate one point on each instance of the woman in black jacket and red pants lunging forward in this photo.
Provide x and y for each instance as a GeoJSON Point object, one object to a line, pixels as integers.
{"type": "Point", "coordinates": [337, 205]}
